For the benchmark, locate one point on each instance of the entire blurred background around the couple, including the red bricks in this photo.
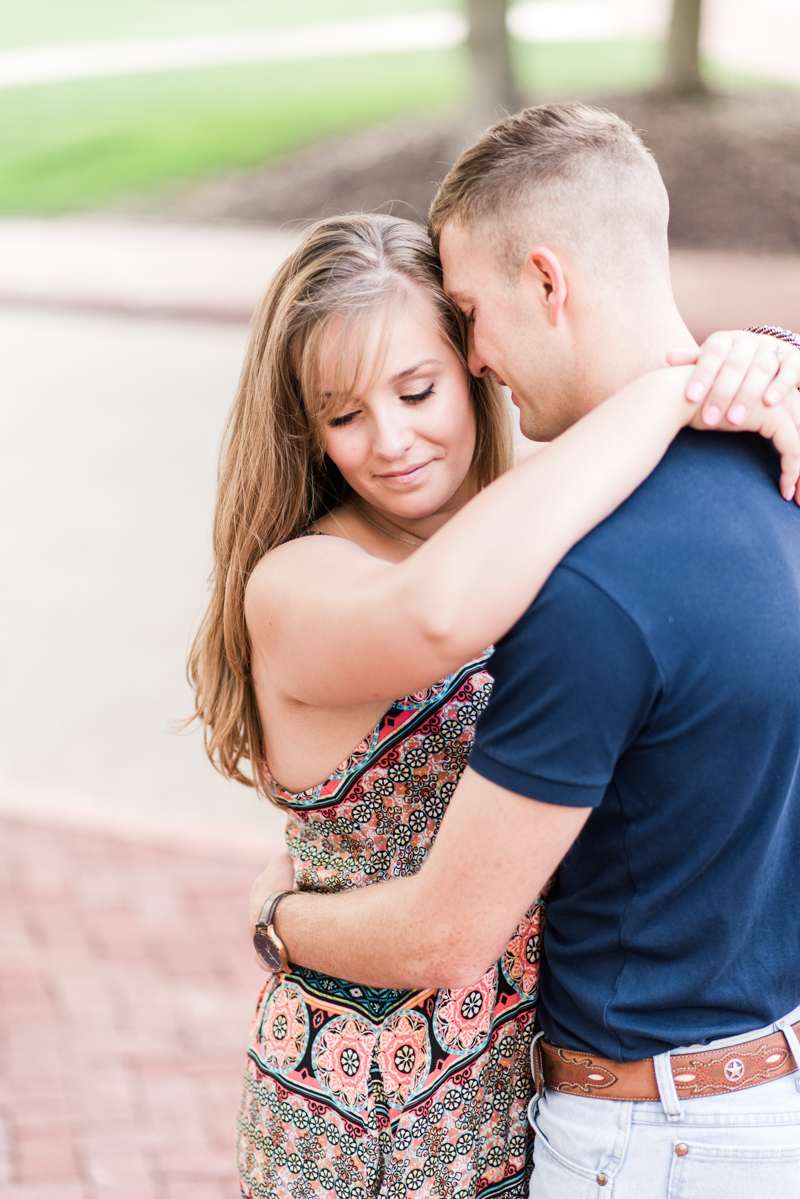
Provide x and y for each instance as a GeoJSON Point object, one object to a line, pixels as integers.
{"type": "Point", "coordinates": [157, 161]}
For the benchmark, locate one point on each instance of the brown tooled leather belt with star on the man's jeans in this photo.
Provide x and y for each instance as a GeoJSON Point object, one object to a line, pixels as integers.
{"type": "Point", "coordinates": [705, 1073]}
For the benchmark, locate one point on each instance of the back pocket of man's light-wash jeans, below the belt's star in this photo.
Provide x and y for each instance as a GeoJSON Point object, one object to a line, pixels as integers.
{"type": "Point", "coordinates": [717, 1172]}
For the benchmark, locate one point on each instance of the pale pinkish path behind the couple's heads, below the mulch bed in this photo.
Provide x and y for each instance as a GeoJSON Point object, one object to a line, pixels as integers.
{"type": "Point", "coordinates": [219, 273]}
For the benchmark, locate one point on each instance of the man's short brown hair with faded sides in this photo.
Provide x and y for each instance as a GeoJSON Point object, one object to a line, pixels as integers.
{"type": "Point", "coordinates": [572, 174]}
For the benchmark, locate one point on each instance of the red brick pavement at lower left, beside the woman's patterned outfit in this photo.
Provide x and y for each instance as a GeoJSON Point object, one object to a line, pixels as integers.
{"type": "Point", "coordinates": [127, 990]}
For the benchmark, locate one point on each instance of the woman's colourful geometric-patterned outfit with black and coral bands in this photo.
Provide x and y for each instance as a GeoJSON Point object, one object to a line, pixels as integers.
{"type": "Point", "coordinates": [352, 1092]}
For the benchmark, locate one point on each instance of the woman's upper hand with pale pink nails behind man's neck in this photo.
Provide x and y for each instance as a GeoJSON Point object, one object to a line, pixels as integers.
{"type": "Point", "coordinates": [736, 372]}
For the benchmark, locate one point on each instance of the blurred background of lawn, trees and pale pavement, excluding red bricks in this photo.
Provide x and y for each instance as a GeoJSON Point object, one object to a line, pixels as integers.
{"type": "Point", "coordinates": [157, 161]}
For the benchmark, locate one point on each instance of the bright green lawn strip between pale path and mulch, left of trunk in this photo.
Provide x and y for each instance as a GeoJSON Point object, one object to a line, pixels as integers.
{"type": "Point", "coordinates": [77, 146]}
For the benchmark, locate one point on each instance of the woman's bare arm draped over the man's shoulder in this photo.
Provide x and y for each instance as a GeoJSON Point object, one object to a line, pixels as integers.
{"type": "Point", "coordinates": [335, 626]}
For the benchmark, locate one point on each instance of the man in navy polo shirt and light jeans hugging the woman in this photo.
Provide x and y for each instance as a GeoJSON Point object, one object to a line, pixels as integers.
{"type": "Point", "coordinates": [646, 721]}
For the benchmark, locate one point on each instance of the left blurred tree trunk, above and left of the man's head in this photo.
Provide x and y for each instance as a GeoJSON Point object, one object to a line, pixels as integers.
{"type": "Point", "coordinates": [494, 91]}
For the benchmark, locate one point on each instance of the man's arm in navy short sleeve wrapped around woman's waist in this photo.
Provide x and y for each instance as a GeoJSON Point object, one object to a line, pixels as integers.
{"type": "Point", "coordinates": [574, 683]}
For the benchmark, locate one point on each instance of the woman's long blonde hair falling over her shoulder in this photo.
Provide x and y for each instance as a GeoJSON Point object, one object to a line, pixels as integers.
{"type": "Point", "coordinates": [274, 478]}
